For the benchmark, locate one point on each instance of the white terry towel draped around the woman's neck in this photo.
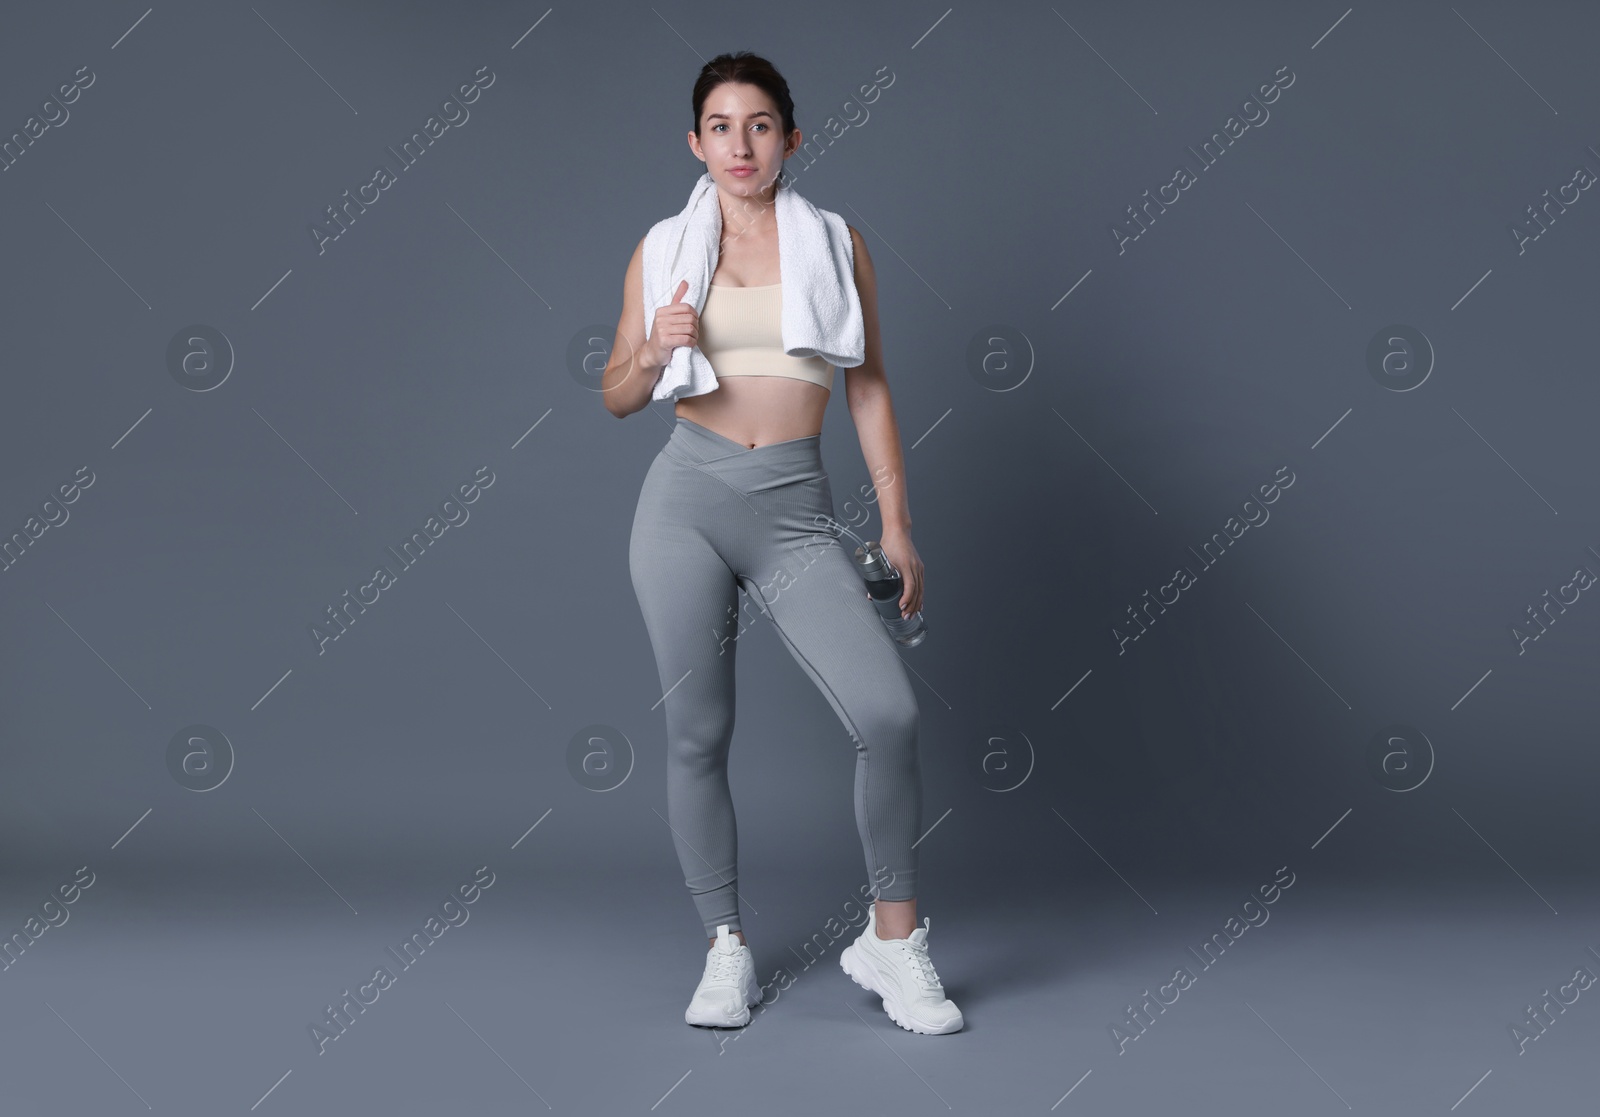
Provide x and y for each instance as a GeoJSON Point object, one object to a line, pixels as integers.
{"type": "Point", "coordinates": [822, 308]}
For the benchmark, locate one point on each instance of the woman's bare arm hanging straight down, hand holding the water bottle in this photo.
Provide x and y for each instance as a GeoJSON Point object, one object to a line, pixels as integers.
{"type": "Point", "coordinates": [868, 394]}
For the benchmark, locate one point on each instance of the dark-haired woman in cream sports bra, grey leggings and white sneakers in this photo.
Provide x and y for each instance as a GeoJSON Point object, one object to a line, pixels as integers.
{"type": "Point", "coordinates": [734, 500]}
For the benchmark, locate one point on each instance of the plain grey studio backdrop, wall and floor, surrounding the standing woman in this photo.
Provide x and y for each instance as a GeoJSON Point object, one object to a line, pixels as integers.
{"type": "Point", "coordinates": [438, 337]}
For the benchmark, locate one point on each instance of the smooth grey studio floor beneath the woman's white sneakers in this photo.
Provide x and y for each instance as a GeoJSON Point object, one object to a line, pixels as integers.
{"type": "Point", "coordinates": [196, 996]}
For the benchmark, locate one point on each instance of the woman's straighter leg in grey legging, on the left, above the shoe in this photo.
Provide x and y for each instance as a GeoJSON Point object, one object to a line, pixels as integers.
{"type": "Point", "coordinates": [689, 595]}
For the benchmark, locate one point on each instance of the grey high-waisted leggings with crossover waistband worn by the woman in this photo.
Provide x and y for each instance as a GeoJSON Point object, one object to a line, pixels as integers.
{"type": "Point", "coordinates": [713, 518]}
